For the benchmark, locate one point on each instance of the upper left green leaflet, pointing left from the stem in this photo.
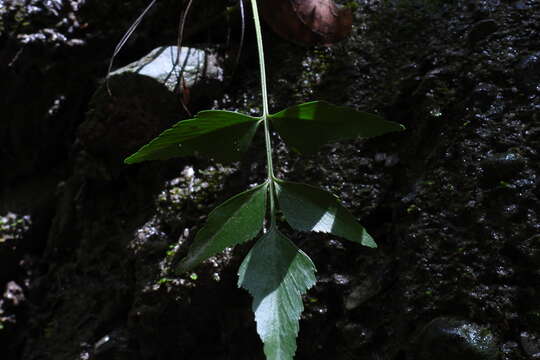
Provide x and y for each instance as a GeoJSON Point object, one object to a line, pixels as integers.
{"type": "Point", "coordinates": [218, 134]}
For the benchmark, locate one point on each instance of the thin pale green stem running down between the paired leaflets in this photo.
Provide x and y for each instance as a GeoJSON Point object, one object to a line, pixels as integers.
{"type": "Point", "coordinates": [269, 165]}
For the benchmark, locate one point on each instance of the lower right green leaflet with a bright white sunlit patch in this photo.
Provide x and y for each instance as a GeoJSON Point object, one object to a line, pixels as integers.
{"type": "Point", "coordinates": [307, 208]}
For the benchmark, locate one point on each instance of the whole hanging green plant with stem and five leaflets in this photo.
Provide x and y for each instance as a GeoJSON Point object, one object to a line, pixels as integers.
{"type": "Point", "coordinates": [275, 272]}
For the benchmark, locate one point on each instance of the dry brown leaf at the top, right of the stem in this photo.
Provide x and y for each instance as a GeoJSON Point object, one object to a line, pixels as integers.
{"type": "Point", "coordinates": [308, 22]}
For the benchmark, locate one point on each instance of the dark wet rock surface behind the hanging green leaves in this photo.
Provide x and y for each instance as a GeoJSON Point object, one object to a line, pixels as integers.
{"type": "Point", "coordinates": [453, 202]}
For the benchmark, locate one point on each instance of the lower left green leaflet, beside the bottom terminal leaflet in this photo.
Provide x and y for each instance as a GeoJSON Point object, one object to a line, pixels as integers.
{"type": "Point", "coordinates": [237, 220]}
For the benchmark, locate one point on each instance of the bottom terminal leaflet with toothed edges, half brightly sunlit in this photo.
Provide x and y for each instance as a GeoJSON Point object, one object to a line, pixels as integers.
{"type": "Point", "coordinates": [276, 273]}
